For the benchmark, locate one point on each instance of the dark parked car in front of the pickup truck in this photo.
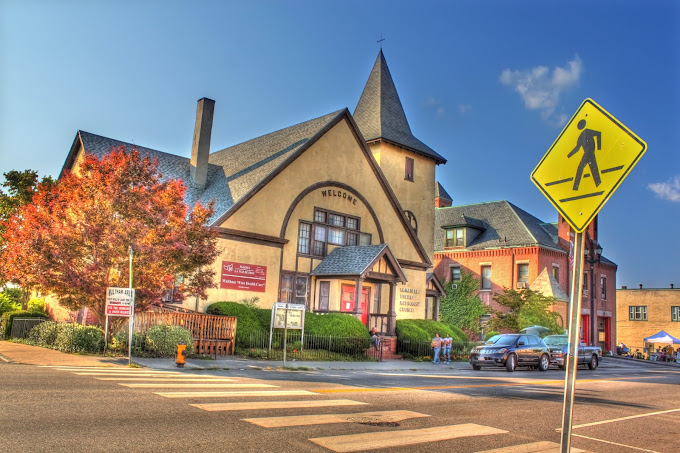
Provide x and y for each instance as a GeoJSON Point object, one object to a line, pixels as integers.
{"type": "Point", "coordinates": [510, 351]}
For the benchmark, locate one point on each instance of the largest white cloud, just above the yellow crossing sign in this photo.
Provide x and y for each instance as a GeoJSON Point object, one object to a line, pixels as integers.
{"type": "Point", "coordinates": [540, 88]}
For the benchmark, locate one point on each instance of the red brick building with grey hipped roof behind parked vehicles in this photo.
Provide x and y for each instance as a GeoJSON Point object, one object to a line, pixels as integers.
{"type": "Point", "coordinates": [506, 247]}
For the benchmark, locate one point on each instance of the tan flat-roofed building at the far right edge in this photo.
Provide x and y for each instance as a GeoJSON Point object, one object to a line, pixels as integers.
{"type": "Point", "coordinates": [641, 313]}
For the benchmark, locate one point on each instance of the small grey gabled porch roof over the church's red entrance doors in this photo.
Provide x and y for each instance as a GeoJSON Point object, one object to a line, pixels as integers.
{"type": "Point", "coordinates": [357, 260]}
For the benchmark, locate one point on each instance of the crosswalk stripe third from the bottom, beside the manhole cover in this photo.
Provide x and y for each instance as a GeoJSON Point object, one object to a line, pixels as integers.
{"type": "Point", "coordinates": [326, 419]}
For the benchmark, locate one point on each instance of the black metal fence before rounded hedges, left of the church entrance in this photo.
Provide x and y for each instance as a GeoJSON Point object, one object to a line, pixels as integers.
{"type": "Point", "coordinates": [309, 348]}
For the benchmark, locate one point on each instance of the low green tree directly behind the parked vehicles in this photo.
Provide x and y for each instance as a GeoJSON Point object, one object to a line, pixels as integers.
{"type": "Point", "coordinates": [523, 309]}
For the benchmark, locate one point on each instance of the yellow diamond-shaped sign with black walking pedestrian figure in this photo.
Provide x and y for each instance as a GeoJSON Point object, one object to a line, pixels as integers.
{"type": "Point", "coordinates": [587, 163]}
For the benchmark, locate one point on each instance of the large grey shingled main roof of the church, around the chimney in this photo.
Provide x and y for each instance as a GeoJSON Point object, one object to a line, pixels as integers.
{"type": "Point", "coordinates": [232, 172]}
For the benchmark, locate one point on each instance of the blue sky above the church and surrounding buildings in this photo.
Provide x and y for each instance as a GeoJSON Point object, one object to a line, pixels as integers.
{"type": "Point", "coordinates": [487, 84]}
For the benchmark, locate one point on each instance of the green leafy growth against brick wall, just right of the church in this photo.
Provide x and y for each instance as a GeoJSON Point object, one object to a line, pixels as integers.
{"type": "Point", "coordinates": [461, 306]}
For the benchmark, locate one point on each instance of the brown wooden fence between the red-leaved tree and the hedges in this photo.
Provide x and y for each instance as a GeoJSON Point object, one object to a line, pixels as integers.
{"type": "Point", "coordinates": [212, 334]}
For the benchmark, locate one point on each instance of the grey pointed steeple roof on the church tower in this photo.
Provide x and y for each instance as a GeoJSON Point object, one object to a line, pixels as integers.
{"type": "Point", "coordinates": [379, 113]}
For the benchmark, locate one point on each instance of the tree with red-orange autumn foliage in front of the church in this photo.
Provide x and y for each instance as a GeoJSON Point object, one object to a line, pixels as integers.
{"type": "Point", "coordinates": [73, 240]}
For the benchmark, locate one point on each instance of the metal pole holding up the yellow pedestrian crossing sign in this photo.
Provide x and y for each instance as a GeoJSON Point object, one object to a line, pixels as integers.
{"type": "Point", "coordinates": [572, 353]}
